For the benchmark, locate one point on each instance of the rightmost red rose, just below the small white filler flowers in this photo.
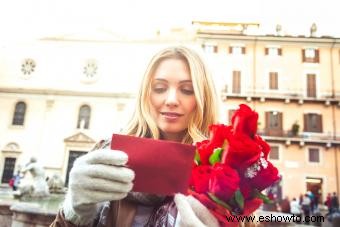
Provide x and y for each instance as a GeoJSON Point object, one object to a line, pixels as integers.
{"type": "Point", "coordinates": [265, 177]}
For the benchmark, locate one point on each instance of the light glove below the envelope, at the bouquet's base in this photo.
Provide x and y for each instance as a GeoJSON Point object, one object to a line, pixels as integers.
{"type": "Point", "coordinates": [192, 213]}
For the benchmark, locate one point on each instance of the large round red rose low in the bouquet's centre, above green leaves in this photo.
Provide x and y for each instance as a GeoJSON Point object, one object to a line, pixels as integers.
{"type": "Point", "coordinates": [224, 181]}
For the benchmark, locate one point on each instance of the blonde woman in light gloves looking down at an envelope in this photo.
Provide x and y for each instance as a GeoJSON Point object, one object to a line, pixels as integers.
{"type": "Point", "coordinates": [177, 102]}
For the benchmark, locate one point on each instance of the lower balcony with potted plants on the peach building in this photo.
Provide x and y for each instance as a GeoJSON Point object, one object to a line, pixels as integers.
{"type": "Point", "coordinates": [287, 137]}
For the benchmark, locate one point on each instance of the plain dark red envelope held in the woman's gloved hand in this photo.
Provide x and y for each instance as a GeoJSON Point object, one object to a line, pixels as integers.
{"type": "Point", "coordinates": [161, 167]}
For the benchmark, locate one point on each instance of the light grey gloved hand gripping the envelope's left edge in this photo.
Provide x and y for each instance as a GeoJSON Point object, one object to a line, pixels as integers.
{"type": "Point", "coordinates": [96, 177]}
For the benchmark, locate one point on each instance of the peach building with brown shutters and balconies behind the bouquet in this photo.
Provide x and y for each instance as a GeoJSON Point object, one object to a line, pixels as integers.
{"type": "Point", "coordinates": [293, 82]}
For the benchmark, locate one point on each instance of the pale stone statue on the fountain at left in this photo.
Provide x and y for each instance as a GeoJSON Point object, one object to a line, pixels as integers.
{"type": "Point", "coordinates": [37, 186]}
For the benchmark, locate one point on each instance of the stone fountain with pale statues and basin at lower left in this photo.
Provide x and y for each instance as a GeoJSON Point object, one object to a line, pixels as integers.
{"type": "Point", "coordinates": [35, 202]}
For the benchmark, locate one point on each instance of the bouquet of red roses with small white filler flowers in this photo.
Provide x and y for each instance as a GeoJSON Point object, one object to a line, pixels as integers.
{"type": "Point", "coordinates": [232, 168]}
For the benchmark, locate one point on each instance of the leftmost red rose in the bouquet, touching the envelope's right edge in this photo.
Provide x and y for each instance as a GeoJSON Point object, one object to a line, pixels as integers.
{"type": "Point", "coordinates": [200, 177]}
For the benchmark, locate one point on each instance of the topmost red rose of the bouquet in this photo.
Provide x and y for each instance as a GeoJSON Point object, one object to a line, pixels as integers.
{"type": "Point", "coordinates": [244, 121]}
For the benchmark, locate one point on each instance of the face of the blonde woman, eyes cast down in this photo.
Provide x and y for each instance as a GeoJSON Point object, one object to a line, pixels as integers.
{"type": "Point", "coordinates": [172, 98]}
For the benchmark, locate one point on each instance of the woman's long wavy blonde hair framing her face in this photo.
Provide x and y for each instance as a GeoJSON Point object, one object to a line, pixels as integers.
{"type": "Point", "coordinates": [143, 125]}
